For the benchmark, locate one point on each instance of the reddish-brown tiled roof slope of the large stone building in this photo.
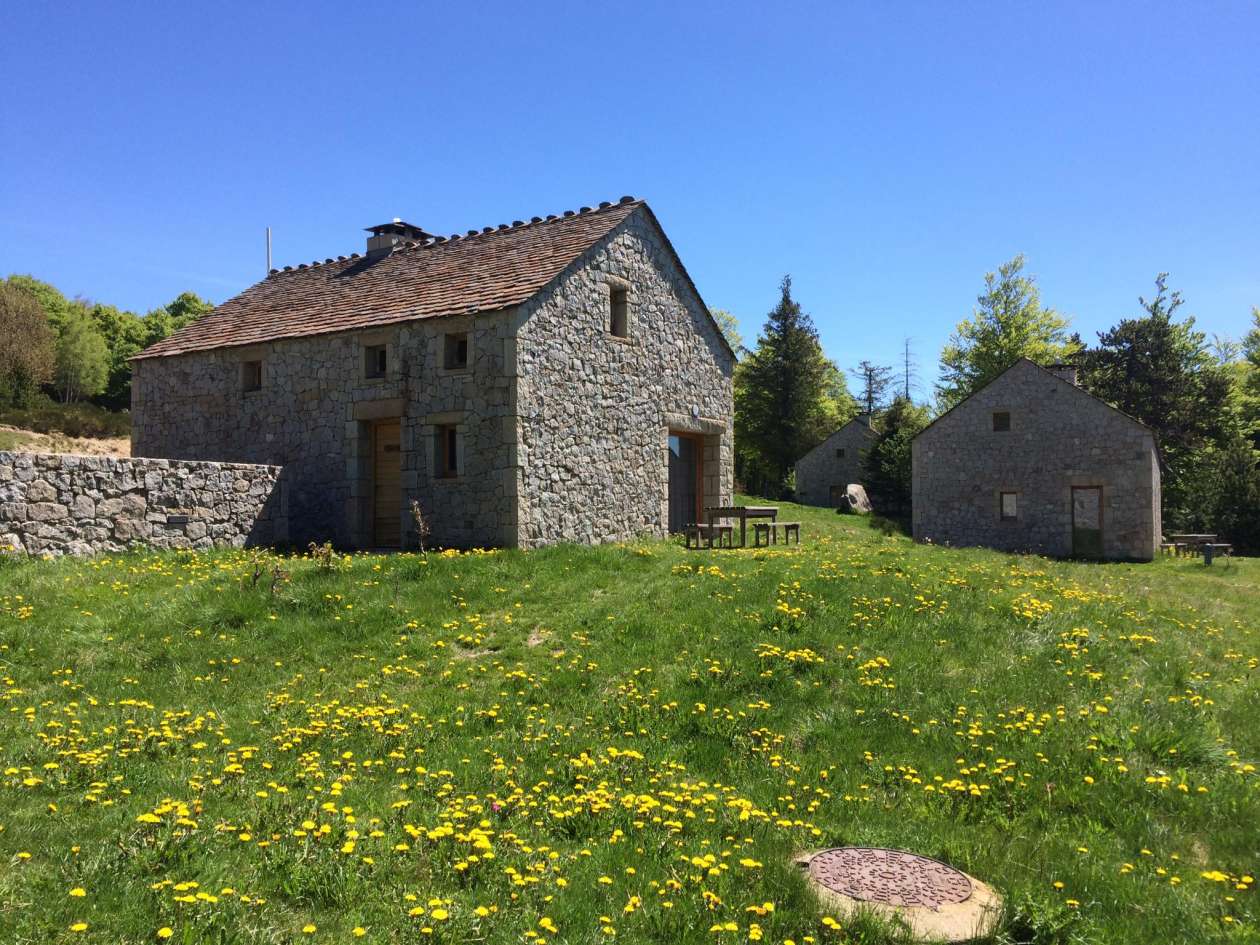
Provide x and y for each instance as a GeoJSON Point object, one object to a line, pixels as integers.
{"type": "Point", "coordinates": [479, 272]}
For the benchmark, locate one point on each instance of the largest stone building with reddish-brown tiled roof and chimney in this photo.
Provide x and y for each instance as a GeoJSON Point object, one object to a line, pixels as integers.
{"type": "Point", "coordinates": [536, 382]}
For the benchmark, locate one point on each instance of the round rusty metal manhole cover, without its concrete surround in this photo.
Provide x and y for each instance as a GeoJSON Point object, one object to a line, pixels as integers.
{"type": "Point", "coordinates": [889, 876]}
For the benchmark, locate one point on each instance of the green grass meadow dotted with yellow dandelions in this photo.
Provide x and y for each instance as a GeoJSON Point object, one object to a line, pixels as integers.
{"type": "Point", "coordinates": [622, 744]}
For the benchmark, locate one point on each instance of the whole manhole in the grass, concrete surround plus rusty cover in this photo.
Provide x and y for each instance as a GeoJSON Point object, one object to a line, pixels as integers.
{"type": "Point", "coordinates": [933, 899]}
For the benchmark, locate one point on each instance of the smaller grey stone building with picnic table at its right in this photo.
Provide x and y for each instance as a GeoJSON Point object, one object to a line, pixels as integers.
{"type": "Point", "coordinates": [1031, 463]}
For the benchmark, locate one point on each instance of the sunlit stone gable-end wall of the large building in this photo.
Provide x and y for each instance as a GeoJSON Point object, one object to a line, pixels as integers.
{"type": "Point", "coordinates": [597, 410]}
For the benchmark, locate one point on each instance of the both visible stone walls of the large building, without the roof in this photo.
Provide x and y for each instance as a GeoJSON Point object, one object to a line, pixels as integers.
{"type": "Point", "coordinates": [563, 428]}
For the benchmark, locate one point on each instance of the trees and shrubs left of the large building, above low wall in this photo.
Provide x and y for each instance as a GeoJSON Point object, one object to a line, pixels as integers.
{"type": "Point", "coordinates": [76, 350]}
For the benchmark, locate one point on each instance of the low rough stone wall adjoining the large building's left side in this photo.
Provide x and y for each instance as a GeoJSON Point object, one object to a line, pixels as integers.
{"type": "Point", "coordinates": [56, 505]}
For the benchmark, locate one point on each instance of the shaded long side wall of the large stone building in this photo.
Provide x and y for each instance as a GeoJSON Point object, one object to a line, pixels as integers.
{"type": "Point", "coordinates": [314, 416]}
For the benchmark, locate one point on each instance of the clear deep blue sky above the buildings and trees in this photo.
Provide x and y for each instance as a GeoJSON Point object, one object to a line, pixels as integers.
{"type": "Point", "coordinates": [886, 156]}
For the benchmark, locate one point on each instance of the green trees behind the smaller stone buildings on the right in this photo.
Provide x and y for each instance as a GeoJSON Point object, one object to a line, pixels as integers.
{"type": "Point", "coordinates": [1200, 398]}
